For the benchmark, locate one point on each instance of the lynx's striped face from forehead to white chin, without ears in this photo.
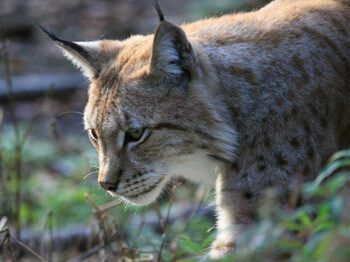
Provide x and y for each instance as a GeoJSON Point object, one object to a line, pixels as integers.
{"type": "Point", "coordinates": [144, 136]}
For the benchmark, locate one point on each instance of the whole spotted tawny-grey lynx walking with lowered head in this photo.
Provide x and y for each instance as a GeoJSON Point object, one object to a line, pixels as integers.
{"type": "Point", "coordinates": [245, 101]}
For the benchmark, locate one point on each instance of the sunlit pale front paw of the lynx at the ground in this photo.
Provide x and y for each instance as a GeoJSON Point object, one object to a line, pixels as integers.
{"type": "Point", "coordinates": [222, 247]}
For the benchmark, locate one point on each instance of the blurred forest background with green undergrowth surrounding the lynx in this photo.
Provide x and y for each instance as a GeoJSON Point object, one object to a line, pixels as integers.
{"type": "Point", "coordinates": [51, 208]}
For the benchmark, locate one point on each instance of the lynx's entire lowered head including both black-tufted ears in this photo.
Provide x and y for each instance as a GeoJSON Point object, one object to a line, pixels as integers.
{"type": "Point", "coordinates": [149, 114]}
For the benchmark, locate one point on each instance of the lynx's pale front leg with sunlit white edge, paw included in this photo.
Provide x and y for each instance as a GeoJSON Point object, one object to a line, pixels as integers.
{"type": "Point", "coordinates": [234, 213]}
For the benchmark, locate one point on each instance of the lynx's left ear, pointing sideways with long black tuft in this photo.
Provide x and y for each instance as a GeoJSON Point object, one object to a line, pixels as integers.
{"type": "Point", "coordinates": [87, 56]}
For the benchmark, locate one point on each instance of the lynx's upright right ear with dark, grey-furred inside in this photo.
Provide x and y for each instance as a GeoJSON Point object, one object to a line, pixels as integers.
{"type": "Point", "coordinates": [172, 53]}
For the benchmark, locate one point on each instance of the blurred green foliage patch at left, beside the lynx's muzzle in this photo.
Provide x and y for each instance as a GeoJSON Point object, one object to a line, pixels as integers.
{"type": "Point", "coordinates": [45, 185]}
